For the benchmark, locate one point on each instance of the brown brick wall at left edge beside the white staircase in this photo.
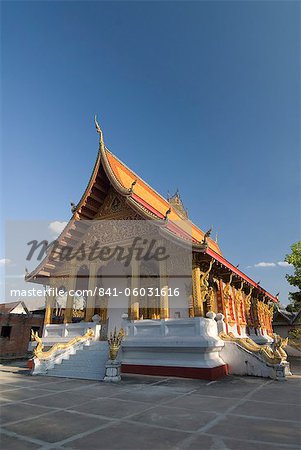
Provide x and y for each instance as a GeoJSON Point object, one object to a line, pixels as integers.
{"type": "Point", "coordinates": [21, 324]}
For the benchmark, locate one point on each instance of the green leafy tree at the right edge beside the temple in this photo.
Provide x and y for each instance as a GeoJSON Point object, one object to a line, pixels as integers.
{"type": "Point", "coordinates": [294, 258]}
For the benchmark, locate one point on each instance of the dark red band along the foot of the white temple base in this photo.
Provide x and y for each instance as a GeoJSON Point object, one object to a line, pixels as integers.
{"type": "Point", "coordinates": [208, 373]}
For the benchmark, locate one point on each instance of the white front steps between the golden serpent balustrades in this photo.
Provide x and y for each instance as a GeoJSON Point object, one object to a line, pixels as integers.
{"type": "Point", "coordinates": [87, 363]}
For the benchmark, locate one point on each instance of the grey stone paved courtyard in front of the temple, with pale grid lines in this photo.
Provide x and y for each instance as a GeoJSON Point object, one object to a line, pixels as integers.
{"type": "Point", "coordinates": [149, 413]}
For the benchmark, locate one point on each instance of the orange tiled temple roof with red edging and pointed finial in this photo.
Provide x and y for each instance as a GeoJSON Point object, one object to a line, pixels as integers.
{"type": "Point", "coordinates": [110, 171]}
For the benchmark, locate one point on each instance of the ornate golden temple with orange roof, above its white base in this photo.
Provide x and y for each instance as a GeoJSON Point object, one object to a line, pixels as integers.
{"type": "Point", "coordinates": [191, 283]}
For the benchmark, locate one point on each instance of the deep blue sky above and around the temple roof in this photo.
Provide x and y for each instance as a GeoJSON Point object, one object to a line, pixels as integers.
{"type": "Point", "coordinates": [200, 96]}
